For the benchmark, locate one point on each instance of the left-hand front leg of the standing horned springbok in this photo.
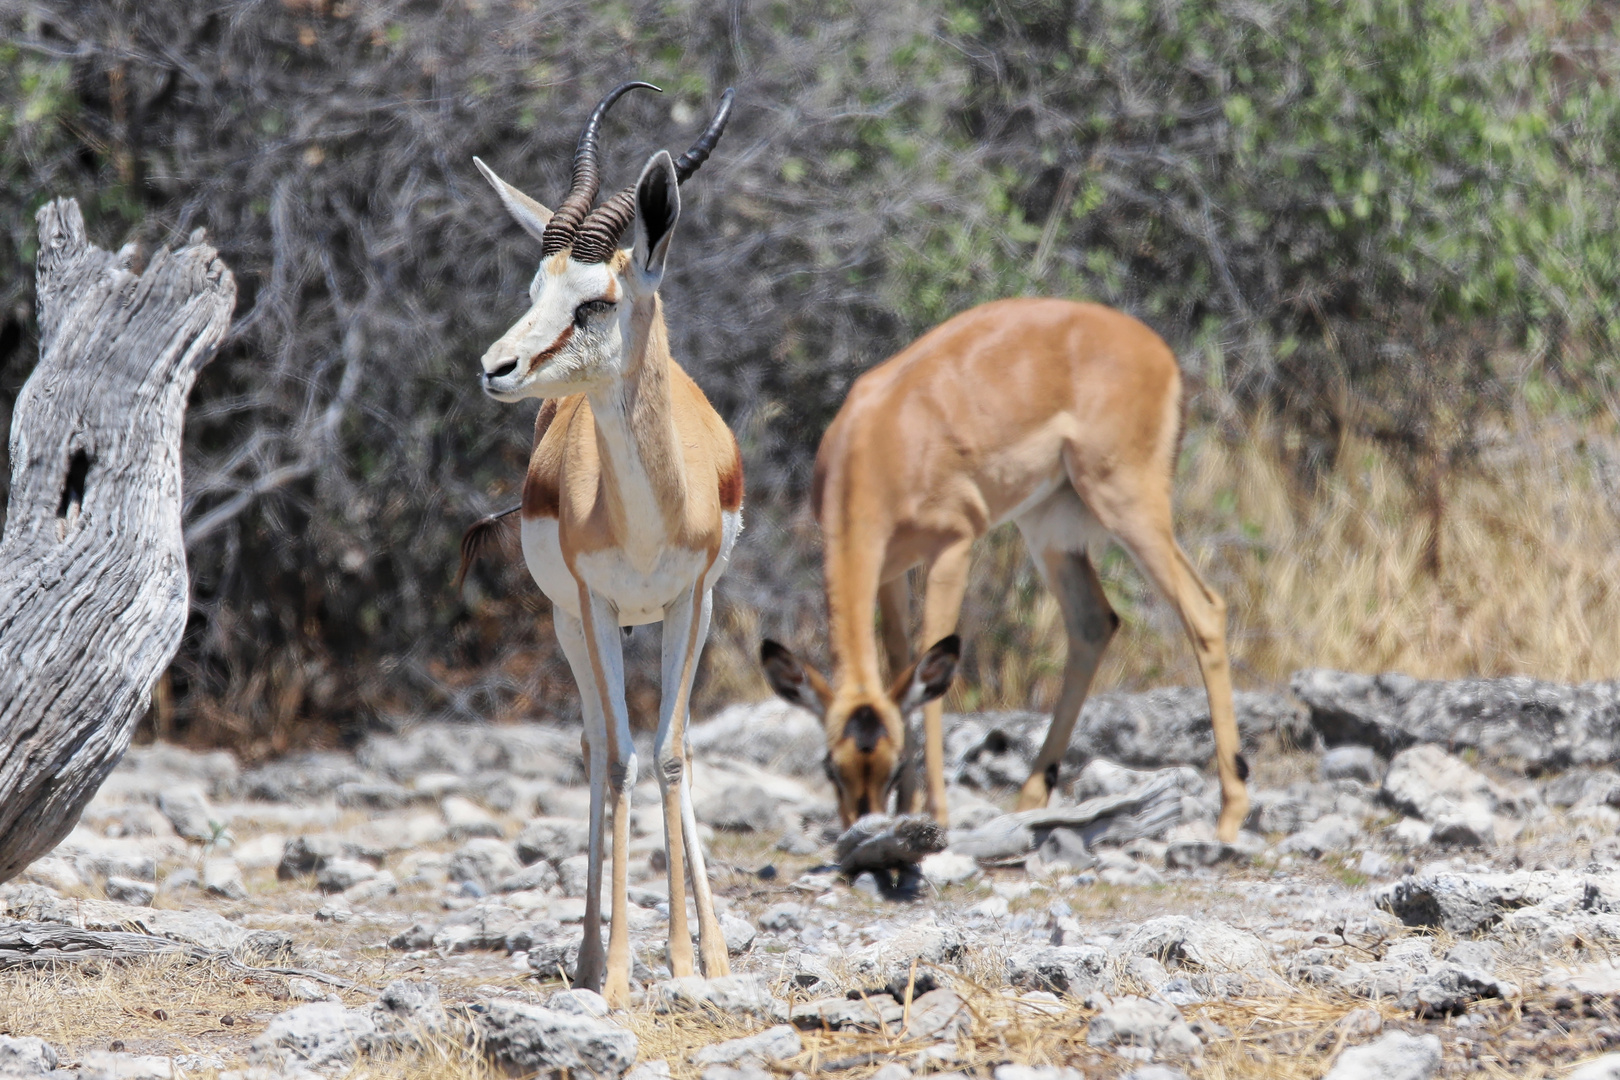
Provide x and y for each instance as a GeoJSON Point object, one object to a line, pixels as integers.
{"type": "Point", "coordinates": [607, 663]}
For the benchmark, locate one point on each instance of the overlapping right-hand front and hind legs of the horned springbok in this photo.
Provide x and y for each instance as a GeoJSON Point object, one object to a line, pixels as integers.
{"type": "Point", "coordinates": [686, 631]}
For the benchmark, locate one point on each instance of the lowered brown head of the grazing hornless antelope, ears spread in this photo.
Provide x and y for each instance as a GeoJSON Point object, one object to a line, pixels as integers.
{"type": "Point", "coordinates": [866, 733]}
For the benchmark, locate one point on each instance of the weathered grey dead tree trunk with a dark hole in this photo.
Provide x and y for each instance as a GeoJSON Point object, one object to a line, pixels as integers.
{"type": "Point", "coordinates": [93, 572]}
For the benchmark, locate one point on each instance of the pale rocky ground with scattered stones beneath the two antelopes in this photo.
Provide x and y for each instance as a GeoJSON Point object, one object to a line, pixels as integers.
{"type": "Point", "coordinates": [1436, 895]}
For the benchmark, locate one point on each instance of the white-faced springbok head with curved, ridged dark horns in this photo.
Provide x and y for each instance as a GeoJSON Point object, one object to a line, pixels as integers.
{"type": "Point", "coordinates": [578, 328]}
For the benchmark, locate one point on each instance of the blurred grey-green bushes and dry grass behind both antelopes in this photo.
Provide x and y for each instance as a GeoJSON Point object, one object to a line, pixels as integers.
{"type": "Point", "coordinates": [1381, 237]}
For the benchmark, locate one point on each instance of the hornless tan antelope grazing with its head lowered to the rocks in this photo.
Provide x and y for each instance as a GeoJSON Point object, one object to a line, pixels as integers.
{"type": "Point", "coordinates": [1055, 415]}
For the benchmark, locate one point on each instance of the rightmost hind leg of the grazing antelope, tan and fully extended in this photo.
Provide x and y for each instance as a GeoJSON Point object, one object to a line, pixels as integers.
{"type": "Point", "coordinates": [1136, 509]}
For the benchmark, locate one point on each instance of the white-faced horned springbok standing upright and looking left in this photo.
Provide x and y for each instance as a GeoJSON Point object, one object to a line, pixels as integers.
{"type": "Point", "coordinates": [631, 506]}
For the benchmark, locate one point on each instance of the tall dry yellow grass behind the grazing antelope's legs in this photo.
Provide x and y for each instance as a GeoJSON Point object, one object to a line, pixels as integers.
{"type": "Point", "coordinates": [1528, 585]}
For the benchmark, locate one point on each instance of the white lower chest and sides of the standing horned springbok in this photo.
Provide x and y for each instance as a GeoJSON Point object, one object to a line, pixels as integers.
{"type": "Point", "coordinates": [639, 593]}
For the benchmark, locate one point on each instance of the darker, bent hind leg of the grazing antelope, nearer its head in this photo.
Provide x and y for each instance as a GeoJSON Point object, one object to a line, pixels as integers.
{"type": "Point", "coordinates": [1089, 624]}
